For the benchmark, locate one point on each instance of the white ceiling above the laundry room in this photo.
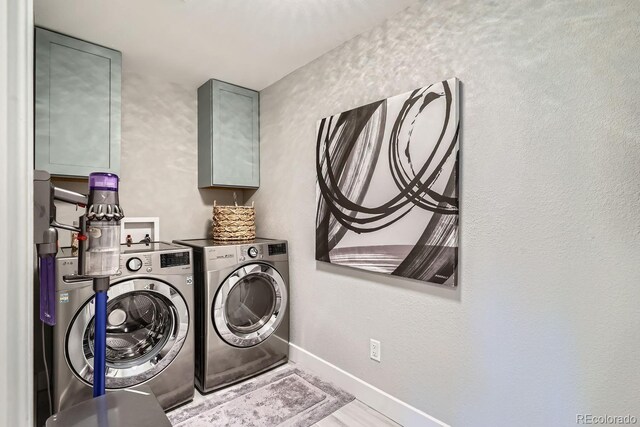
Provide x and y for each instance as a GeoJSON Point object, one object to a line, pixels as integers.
{"type": "Point", "coordinates": [251, 43]}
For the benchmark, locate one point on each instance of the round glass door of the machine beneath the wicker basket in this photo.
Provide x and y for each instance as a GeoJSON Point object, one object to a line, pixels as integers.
{"type": "Point", "coordinates": [249, 305]}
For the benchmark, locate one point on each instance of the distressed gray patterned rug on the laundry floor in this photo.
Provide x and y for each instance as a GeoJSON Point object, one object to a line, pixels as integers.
{"type": "Point", "coordinates": [286, 397]}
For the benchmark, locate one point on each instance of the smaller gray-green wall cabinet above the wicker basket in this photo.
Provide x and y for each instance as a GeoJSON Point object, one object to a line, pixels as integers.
{"type": "Point", "coordinates": [228, 136]}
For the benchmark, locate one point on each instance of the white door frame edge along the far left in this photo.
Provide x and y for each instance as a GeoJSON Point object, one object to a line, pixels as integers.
{"type": "Point", "coordinates": [16, 213]}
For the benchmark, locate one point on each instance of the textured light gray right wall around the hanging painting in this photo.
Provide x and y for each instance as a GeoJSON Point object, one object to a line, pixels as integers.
{"type": "Point", "coordinates": [545, 322]}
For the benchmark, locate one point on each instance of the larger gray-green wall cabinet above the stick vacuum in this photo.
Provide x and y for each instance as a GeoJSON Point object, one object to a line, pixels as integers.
{"type": "Point", "coordinates": [77, 106]}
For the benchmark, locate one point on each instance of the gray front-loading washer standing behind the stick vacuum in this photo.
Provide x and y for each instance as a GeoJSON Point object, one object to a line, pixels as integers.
{"type": "Point", "coordinates": [150, 337]}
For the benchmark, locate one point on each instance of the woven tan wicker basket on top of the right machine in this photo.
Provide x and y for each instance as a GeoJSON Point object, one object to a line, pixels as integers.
{"type": "Point", "coordinates": [233, 223]}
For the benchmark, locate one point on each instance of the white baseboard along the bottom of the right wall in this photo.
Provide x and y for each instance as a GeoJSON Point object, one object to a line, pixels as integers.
{"type": "Point", "coordinates": [379, 400]}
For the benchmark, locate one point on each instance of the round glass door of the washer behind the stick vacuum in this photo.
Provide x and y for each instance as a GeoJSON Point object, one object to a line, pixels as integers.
{"type": "Point", "coordinates": [147, 323]}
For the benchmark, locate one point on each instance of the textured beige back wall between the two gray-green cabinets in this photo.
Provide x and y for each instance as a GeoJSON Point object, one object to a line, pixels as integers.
{"type": "Point", "coordinates": [159, 169]}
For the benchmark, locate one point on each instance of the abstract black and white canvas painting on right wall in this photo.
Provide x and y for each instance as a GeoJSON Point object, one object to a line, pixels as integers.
{"type": "Point", "coordinates": [387, 189]}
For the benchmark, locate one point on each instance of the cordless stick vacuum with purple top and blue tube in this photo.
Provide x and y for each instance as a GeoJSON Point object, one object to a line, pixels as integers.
{"type": "Point", "coordinates": [99, 250]}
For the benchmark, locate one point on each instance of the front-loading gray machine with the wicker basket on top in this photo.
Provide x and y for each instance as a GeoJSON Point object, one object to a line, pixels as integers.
{"type": "Point", "coordinates": [242, 313]}
